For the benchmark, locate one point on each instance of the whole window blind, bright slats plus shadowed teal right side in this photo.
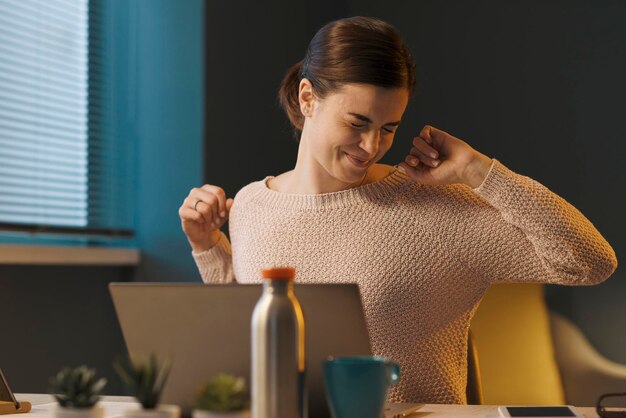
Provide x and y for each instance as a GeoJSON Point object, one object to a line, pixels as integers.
{"type": "Point", "coordinates": [66, 164]}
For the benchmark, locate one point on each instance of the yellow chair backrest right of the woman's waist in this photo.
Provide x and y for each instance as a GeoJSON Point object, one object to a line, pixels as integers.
{"type": "Point", "coordinates": [511, 332]}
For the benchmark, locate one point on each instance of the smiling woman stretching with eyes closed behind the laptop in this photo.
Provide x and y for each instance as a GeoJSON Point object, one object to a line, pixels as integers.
{"type": "Point", "coordinates": [424, 240]}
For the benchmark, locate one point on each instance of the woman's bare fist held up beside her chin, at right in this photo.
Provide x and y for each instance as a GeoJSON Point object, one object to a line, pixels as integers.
{"type": "Point", "coordinates": [438, 158]}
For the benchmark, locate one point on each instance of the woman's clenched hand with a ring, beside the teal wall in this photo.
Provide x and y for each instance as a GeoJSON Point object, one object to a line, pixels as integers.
{"type": "Point", "coordinates": [202, 214]}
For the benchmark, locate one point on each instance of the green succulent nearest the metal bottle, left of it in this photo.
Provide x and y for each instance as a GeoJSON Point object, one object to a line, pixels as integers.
{"type": "Point", "coordinates": [223, 393]}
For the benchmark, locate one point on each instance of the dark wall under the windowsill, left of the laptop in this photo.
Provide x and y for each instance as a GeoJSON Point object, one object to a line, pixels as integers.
{"type": "Point", "coordinates": [56, 316]}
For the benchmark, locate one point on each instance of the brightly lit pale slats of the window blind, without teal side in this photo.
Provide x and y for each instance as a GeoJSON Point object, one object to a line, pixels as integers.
{"type": "Point", "coordinates": [43, 112]}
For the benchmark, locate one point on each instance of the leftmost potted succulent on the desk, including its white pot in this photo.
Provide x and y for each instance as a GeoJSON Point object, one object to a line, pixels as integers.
{"type": "Point", "coordinates": [77, 390]}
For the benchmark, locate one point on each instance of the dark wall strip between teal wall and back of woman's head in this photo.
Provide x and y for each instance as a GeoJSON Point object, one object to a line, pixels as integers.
{"type": "Point", "coordinates": [250, 46]}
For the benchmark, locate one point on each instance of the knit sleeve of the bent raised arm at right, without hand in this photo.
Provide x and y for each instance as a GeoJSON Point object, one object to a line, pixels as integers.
{"type": "Point", "coordinates": [533, 235]}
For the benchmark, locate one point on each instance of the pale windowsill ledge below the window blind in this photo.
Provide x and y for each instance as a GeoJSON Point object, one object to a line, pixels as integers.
{"type": "Point", "coordinates": [59, 255]}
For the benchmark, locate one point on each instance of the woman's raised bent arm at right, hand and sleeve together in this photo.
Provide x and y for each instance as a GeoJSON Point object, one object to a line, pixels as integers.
{"type": "Point", "coordinates": [509, 227]}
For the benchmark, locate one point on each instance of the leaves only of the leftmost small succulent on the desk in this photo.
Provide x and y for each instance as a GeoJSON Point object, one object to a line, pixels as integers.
{"type": "Point", "coordinates": [77, 387]}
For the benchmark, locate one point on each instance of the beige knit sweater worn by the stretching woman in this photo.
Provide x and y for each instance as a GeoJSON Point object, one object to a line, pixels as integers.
{"type": "Point", "coordinates": [423, 257]}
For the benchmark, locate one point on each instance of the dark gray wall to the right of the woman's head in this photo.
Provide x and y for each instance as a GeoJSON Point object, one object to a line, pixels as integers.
{"type": "Point", "coordinates": [539, 86]}
